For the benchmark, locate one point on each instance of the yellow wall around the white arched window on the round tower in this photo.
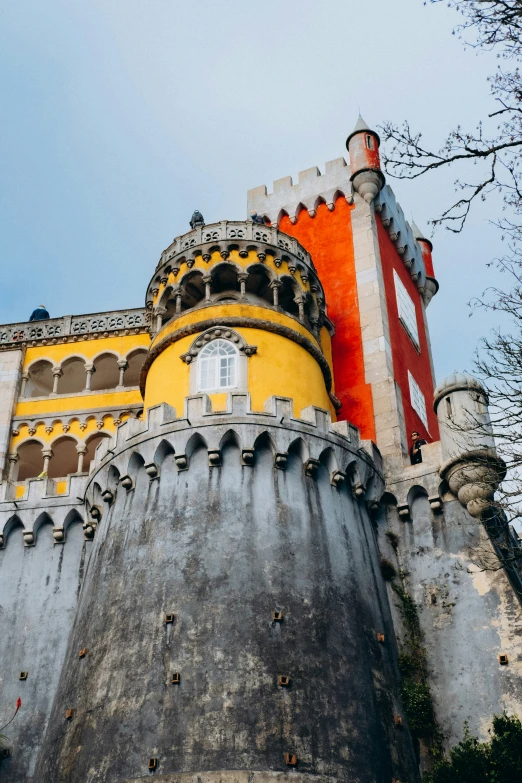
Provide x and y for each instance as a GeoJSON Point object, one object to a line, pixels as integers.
{"type": "Point", "coordinates": [280, 366]}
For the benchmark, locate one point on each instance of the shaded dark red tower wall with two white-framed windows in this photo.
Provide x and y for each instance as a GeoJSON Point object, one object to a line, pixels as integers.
{"type": "Point", "coordinates": [405, 355]}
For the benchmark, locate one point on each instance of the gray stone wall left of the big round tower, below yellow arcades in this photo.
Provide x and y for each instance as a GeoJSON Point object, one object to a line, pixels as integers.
{"type": "Point", "coordinates": [39, 589]}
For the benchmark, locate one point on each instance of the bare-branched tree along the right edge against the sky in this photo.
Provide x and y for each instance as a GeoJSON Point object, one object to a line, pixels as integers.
{"type": "Point", "coordinates": [494, 147]}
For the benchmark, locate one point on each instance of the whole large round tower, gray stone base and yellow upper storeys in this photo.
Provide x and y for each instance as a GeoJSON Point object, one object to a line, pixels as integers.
{"type": "Point", "coordinates": [233, 621]}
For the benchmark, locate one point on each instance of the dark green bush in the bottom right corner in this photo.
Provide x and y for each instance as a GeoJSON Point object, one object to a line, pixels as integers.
{"type": "Point", "coordinates": [496, 761]}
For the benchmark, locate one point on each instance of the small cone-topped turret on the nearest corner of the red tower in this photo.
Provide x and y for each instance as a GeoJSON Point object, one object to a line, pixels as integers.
{"type": "Point", "coordinates": [363, 146]}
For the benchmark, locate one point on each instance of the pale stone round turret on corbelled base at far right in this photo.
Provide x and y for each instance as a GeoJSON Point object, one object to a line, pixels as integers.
{"type": "Point", "coordinates": [470, 462]}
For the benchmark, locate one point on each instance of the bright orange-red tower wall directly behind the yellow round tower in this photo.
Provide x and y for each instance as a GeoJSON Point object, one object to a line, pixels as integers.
{"type": "Point", "coordinates": [328, 237]}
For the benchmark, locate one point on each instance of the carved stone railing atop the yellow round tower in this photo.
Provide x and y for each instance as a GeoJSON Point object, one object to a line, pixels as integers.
{"type": "Point", "coordinates": [234, 231]}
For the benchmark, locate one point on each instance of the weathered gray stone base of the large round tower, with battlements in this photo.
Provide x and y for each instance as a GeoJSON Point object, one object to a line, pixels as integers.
{"type": "Point", "coordinates": [221, 538]}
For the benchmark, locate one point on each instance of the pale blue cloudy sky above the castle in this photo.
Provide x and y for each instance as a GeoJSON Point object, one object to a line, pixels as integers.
{"type": "Point", "coordinates": [120, 117]}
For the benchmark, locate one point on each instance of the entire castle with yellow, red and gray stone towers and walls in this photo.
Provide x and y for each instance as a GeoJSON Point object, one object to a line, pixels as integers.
{"type": "Point", "coordinates": [209, 520]}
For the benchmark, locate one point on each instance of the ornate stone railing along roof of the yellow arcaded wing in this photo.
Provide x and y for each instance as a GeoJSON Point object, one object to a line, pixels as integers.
{"type": "Point", "coordinates": [73, 327]}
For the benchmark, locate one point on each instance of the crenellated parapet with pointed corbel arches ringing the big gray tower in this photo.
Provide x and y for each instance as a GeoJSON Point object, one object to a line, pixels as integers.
{"type": "Point", "coordinates": [313, 437]}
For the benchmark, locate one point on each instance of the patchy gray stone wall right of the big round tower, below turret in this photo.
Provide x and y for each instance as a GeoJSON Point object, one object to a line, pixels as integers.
{"type": "Point", "coordinates": [468, 616]}
